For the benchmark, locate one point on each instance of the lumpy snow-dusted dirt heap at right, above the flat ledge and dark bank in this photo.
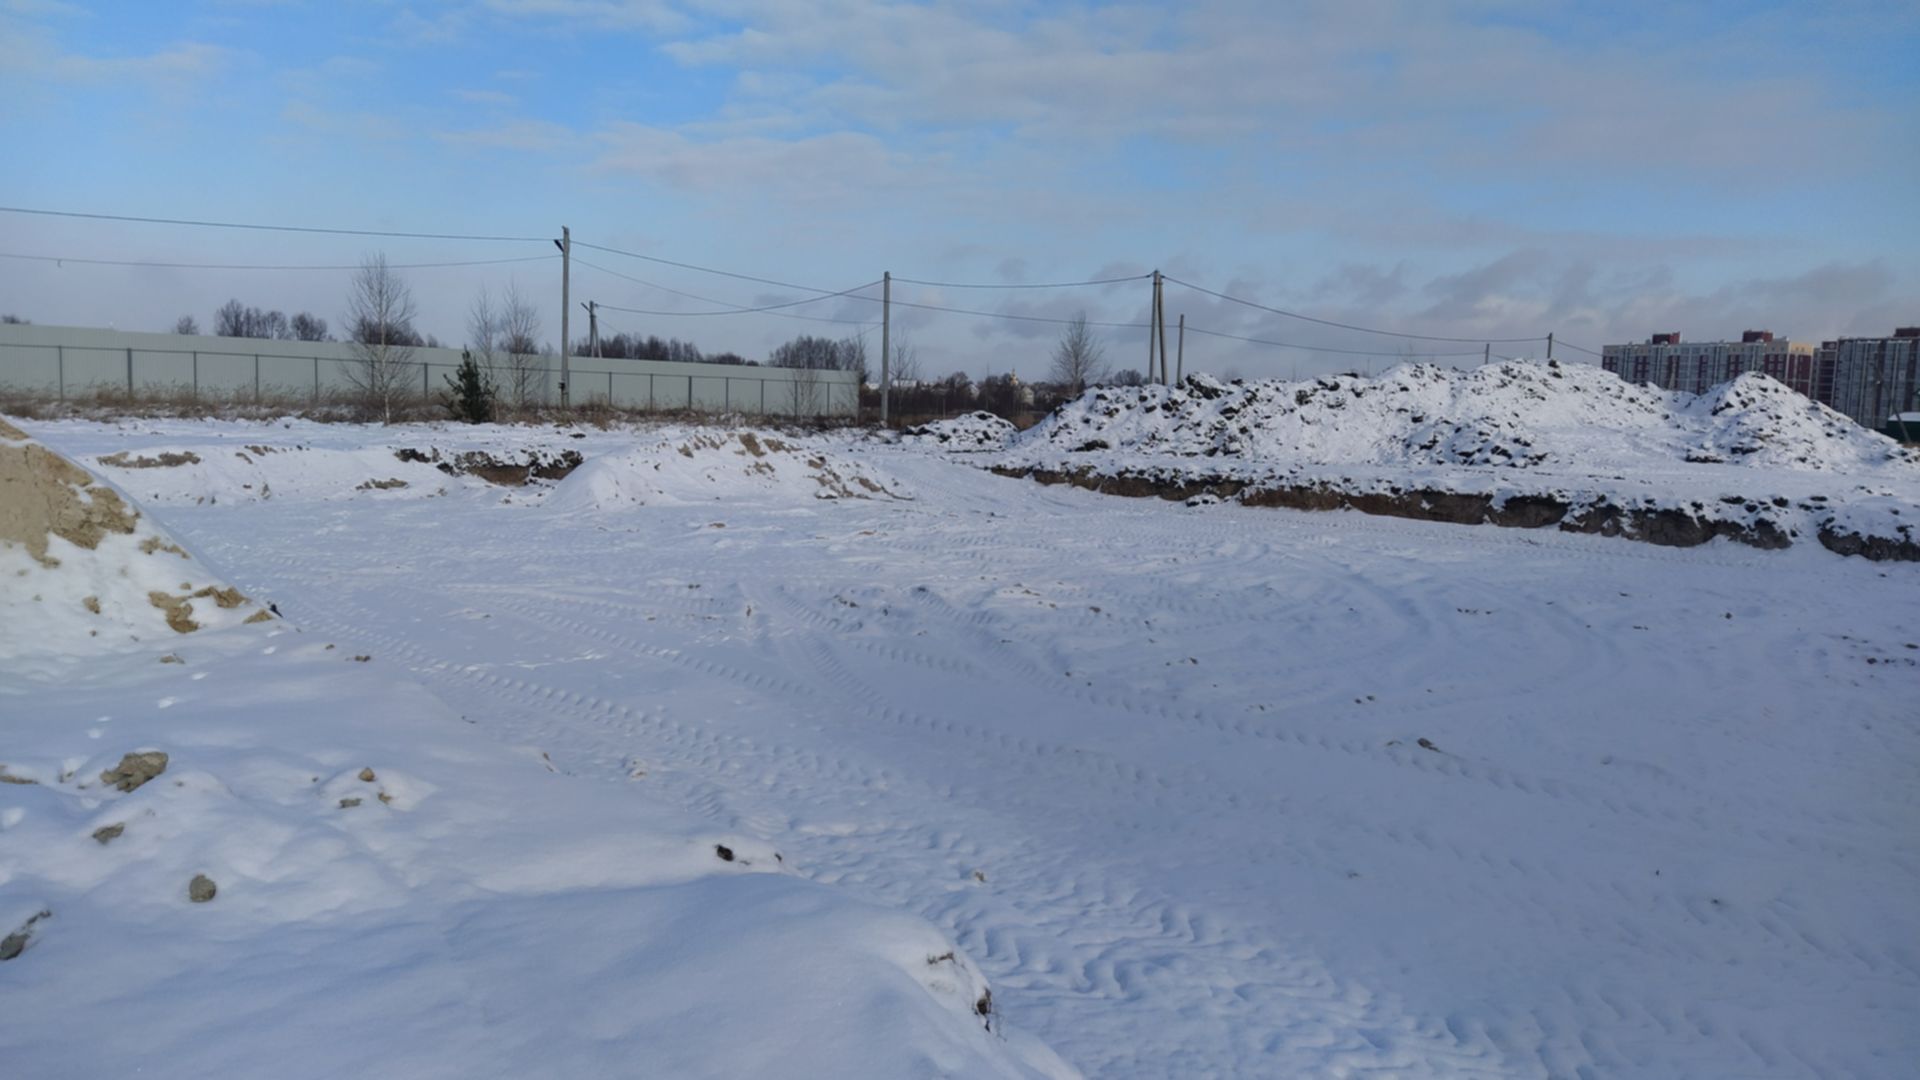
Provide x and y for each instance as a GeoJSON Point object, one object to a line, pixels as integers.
{"type": "Point", "coordinates": [1504, 416]}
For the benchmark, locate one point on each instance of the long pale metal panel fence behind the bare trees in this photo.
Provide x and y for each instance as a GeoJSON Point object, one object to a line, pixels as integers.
{"type": "Point", "coordinates": [80, 362]}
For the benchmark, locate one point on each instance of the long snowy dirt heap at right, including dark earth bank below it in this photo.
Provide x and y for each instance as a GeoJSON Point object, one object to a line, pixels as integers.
{"type": "Point", "coordinates": [1520, 445]}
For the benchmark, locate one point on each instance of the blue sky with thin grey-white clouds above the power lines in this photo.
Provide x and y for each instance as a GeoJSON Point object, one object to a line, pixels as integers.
{"type": "Point", "coordinates": [1481, 170]}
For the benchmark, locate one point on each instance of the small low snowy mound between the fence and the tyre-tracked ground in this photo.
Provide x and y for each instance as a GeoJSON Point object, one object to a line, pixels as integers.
{"type": "Point", "coordinates": [704, 466]}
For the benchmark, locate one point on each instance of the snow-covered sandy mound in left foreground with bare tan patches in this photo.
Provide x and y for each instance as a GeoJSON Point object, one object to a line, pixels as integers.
{"type": "Point", "coordinates": [228, 843]}
